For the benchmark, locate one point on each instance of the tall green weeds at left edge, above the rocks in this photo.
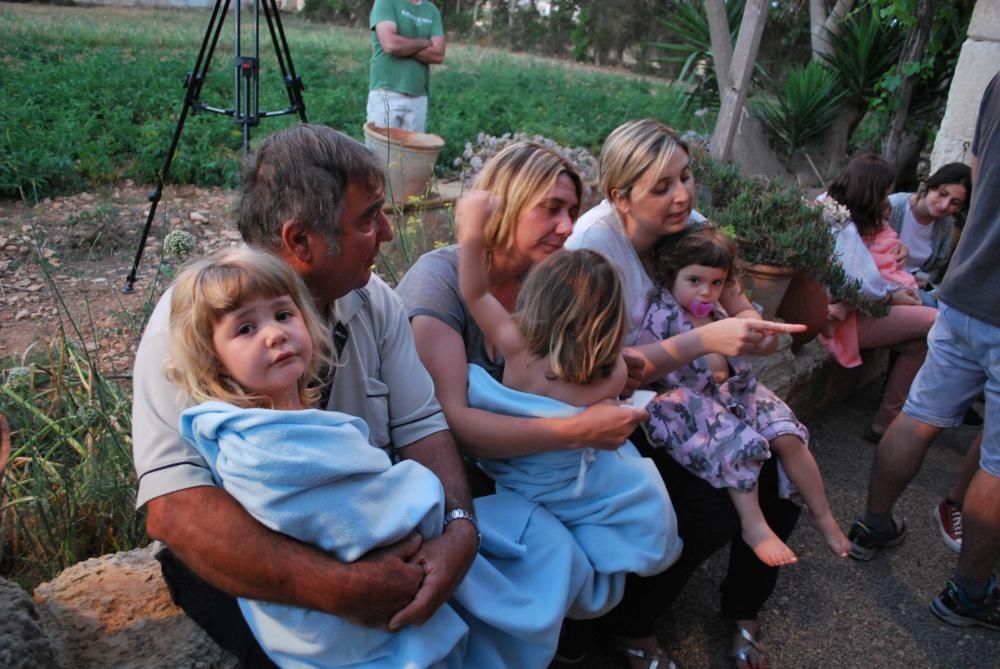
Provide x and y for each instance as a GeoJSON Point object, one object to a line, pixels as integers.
{"type": "Point", "coordinates": [69, 489]}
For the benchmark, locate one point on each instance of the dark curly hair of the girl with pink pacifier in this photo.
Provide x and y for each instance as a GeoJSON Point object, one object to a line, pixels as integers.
{"type": "Point", "coordinates": [705, 245]}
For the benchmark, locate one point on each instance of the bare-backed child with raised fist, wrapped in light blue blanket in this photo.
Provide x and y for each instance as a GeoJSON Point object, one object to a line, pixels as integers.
{"type": "Point", "coordinates": [562, 351]}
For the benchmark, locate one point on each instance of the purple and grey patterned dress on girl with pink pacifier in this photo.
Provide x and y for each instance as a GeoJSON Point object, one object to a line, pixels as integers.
{"type": "Point", "coordinates": [720, 433]}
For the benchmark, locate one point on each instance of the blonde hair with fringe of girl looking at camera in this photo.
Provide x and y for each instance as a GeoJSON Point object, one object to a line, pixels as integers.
{"type": "Point", "coordinates": [208, 289]}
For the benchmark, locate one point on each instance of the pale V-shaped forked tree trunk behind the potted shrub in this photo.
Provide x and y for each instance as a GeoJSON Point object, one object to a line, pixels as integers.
{"type": "Point", "coordinates": [737, 76]}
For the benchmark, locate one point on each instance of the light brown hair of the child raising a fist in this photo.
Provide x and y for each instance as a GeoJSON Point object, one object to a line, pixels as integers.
{"type": "Point", "coordinates": [571, 310]}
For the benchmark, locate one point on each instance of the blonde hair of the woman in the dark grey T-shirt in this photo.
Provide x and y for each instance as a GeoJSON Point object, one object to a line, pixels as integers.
{"type": "Point", "coordinates": [520, 175]}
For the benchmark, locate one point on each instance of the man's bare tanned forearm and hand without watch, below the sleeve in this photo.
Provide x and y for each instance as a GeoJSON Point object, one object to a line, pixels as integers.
{"type": "Point", "coordinates": [215, 537]}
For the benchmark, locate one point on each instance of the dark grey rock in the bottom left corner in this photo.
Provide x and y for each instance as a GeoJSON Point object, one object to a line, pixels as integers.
{"type": "Point", "coordinates": [23, 641]}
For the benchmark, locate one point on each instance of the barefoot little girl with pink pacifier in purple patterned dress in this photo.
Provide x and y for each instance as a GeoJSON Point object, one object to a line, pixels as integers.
{"type": "Point", "coordinates": [712, 415]}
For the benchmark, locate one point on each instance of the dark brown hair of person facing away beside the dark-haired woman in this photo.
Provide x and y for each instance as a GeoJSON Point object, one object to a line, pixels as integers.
{"type": "Point", "coordinates": [862, 188]}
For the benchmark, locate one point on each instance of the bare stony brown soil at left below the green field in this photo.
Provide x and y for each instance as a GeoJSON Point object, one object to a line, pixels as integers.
{"type": "Point", "coordinates": [64, 261]}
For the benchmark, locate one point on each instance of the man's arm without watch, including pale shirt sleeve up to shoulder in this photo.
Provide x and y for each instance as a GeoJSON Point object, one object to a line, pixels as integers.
{"type": "Point", "coordinates": [216, 538]}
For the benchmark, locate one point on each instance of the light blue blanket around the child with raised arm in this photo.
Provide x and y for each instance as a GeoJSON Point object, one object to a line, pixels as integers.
{"type": "Point", "coordinates": [613, 502]}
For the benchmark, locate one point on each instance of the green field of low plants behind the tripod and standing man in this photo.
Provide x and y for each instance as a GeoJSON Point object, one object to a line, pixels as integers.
{"type": "Point", "coordinates": [92, 96]}
